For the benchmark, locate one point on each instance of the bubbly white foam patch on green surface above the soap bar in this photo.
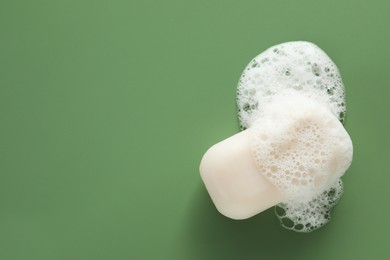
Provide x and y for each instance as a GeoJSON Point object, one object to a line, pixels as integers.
{"type": "Point", "coordinates": [299, 66]}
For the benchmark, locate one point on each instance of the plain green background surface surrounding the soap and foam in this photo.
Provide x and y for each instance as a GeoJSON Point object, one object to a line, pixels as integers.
{"type": "Point", "coordinates": [107, 107]}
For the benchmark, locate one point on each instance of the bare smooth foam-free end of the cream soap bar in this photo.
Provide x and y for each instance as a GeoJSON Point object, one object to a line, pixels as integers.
{"type": "Point", "coordinates": [229, 171]}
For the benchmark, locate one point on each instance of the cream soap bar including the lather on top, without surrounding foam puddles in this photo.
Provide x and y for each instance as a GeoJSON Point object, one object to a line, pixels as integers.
{"type": "Point", "coordinates": [296, 150]}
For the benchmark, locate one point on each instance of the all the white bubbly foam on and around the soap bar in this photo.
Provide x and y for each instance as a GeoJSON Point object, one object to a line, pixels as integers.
{"type": "Point", "coordinates": [292, 99]}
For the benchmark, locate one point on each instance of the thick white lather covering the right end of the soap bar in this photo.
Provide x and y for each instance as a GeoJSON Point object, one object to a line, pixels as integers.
{"type": "Point", "coordinates": [300, 146]}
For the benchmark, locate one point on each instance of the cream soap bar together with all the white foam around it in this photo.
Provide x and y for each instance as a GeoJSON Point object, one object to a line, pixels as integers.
{"type": "Point", "coordinates": [293, 148]}
